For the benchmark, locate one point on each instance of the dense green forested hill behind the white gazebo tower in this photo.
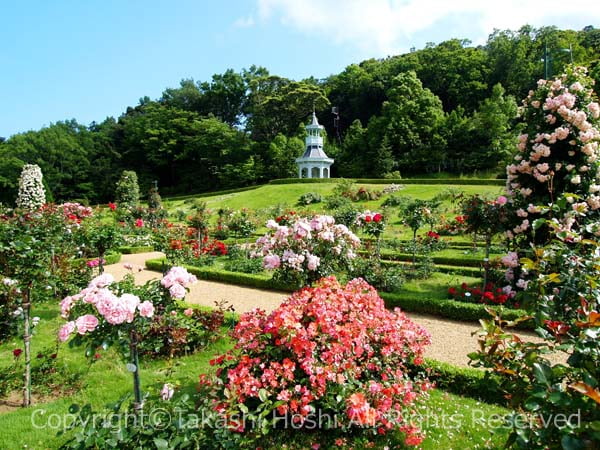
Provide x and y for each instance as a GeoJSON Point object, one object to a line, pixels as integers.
{"type": "Point", "coordinates": [448, 107]}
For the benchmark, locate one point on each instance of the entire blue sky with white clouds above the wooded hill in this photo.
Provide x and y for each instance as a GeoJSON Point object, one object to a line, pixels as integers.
{"type": "Point", "coordinates": [89, 59]}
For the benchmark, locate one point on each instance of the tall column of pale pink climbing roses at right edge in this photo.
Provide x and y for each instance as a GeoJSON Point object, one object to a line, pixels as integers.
{"type": "Point", "coordinates": [560, 150]}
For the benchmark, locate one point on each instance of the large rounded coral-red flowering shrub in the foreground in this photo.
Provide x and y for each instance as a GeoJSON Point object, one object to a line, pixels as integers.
{"type": "Point", "coordinates": [331, 350]}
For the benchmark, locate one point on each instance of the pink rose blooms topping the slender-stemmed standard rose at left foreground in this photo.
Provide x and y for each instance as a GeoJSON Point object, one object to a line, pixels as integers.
{"type": "Point", "coordinates": [115, 310]}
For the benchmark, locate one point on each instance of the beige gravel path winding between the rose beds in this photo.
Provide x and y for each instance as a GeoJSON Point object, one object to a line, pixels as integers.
{"type": "Point", "coordinates": [451, 339]}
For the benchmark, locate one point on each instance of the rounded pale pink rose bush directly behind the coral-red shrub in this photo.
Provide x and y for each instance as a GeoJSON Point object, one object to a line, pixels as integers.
{"type": "Point", "coordinates": [307, 250]}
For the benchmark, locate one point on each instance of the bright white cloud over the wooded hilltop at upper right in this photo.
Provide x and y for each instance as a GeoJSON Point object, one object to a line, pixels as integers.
{"type": "Point", "coordinates": [387, 26]}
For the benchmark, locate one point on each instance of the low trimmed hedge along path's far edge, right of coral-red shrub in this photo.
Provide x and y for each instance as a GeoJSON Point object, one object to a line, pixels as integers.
{"type": "Point", "coordinates": [452, 309]}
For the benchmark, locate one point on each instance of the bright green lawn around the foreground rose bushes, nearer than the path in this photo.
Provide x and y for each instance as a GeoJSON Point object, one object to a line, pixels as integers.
{"type": "Point", "coordinates": [107, 380]}
